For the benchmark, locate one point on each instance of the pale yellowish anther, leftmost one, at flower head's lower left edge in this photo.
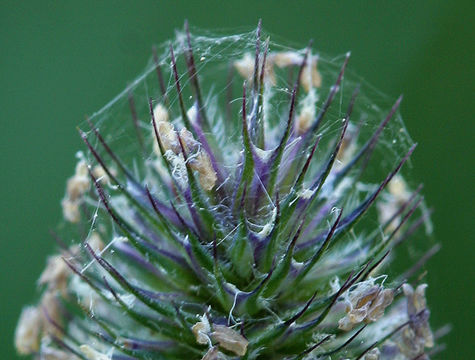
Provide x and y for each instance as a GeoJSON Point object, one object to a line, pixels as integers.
{"type": "Point", "coordinates": [27, 333]}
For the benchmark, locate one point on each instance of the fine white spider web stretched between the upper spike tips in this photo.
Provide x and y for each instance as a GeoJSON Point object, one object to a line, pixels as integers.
{"type": "Point", "coordinates": [221, 88]}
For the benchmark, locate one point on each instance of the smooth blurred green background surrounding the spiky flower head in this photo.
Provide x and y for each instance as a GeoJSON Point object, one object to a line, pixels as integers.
{"type": "Point", "coordinates": [61, 60]}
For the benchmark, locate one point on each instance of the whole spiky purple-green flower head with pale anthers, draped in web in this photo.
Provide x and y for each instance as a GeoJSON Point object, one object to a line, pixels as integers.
{"type": "Point", "coordinates": [256, 220]}
